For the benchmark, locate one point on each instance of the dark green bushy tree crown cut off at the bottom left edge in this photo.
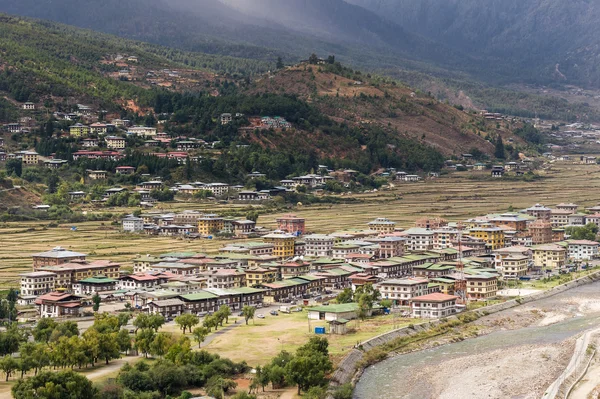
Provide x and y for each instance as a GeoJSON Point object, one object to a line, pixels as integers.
{"type": "Point", "coordinates": [55, 385]}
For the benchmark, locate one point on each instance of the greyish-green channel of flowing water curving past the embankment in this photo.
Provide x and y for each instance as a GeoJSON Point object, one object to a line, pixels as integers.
{"type": "Point", "coordinates": [390, 379]}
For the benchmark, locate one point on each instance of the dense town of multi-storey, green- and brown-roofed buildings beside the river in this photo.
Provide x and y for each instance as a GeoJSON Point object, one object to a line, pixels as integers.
{"type": "Point", "coordinates": [431, 270]}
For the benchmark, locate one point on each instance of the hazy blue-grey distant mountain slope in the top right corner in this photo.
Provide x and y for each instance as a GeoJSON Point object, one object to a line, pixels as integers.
{"type": "Point", "coordinates": [539, 41]}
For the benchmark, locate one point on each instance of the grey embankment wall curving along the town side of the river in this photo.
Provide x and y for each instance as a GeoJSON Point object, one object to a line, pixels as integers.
{"type": "Point", "coordinates": [348, 371]}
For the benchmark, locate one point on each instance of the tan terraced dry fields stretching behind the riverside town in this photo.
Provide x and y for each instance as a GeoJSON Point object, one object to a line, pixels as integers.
{"type": "Point", "coordinates": [454, 197]}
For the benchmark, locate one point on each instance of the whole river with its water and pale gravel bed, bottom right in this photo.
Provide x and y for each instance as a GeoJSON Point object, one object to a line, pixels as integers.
{"type": "Point", "coordinates": [496, 359]}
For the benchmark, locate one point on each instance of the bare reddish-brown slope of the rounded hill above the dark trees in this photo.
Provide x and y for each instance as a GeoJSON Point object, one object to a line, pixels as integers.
{"type": "Point", "coordinates": [376, 102]}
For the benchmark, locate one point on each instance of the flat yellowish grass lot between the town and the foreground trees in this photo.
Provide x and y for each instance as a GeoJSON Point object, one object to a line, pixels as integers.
{"type": "Point", "coordinates": [258, 342]}
